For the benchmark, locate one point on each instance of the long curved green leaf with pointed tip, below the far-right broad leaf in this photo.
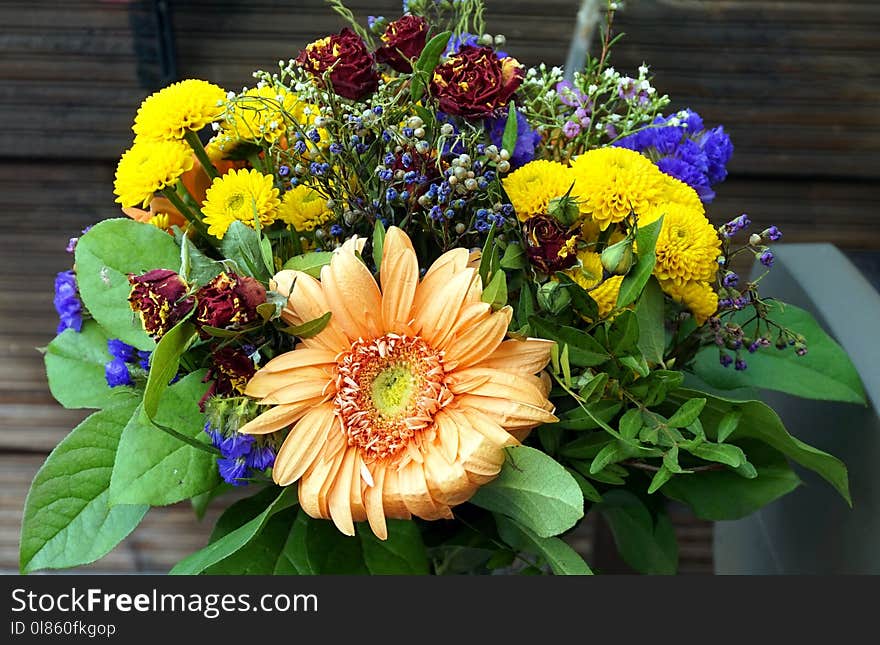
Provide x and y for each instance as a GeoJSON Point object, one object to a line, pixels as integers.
{"type": "Point", "coordinates": [758, 421]}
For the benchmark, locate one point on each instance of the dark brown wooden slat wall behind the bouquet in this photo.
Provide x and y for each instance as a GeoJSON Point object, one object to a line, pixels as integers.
{"type": "Point", "coordinates": [796, 83]}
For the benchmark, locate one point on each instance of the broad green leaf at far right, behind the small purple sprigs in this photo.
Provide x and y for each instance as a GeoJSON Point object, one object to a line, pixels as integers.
{"type": "Point", "coordinates": [825, 373]}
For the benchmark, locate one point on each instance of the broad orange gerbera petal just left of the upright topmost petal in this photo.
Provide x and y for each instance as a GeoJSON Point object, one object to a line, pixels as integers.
{"type": "Point", "coordinates": [353, 296]}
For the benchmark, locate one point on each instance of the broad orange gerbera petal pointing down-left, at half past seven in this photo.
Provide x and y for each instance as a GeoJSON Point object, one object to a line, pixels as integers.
{"type": "Point", "coordinates": [303, 444]}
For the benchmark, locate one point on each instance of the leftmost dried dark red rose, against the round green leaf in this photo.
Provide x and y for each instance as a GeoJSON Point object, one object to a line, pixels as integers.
{"type": "Point", "coordinates": [159, 298]}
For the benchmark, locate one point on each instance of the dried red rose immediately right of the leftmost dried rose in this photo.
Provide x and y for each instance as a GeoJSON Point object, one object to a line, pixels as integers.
{"type": "Point", "coordinates": [229, 301]}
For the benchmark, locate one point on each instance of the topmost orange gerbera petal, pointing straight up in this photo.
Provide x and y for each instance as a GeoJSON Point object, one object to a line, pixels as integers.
{"type": "Point", "coordinates": [400, 277]}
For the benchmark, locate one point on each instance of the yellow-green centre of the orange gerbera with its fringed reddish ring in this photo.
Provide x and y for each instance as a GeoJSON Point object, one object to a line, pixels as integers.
{"type": "Point", "coordinates": [388, 390]}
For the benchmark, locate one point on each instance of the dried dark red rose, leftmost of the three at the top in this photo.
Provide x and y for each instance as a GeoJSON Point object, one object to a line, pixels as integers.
{"type": "Point", "coordinates": [351, 66]}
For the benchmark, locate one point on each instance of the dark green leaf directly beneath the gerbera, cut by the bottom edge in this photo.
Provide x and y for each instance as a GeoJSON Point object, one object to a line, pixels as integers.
{"type": "Point", "coordinates": [403, 553]}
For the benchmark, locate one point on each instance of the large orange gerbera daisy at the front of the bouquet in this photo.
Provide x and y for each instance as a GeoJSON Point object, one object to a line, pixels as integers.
{"type": "Point", "coordinates": [403, 404]}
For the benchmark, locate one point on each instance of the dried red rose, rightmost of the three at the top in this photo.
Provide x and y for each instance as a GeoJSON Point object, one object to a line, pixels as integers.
{"type": "Point", "coordinates": [474, 83]}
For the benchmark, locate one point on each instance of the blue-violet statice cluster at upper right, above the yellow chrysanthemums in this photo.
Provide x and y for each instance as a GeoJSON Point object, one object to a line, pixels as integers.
{"type": "Point", "coordinates": [681, 147]}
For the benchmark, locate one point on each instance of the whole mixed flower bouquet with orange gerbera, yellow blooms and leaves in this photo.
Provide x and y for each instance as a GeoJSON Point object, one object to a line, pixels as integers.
{"type": "Point", "coordinates": [422, 309]}
